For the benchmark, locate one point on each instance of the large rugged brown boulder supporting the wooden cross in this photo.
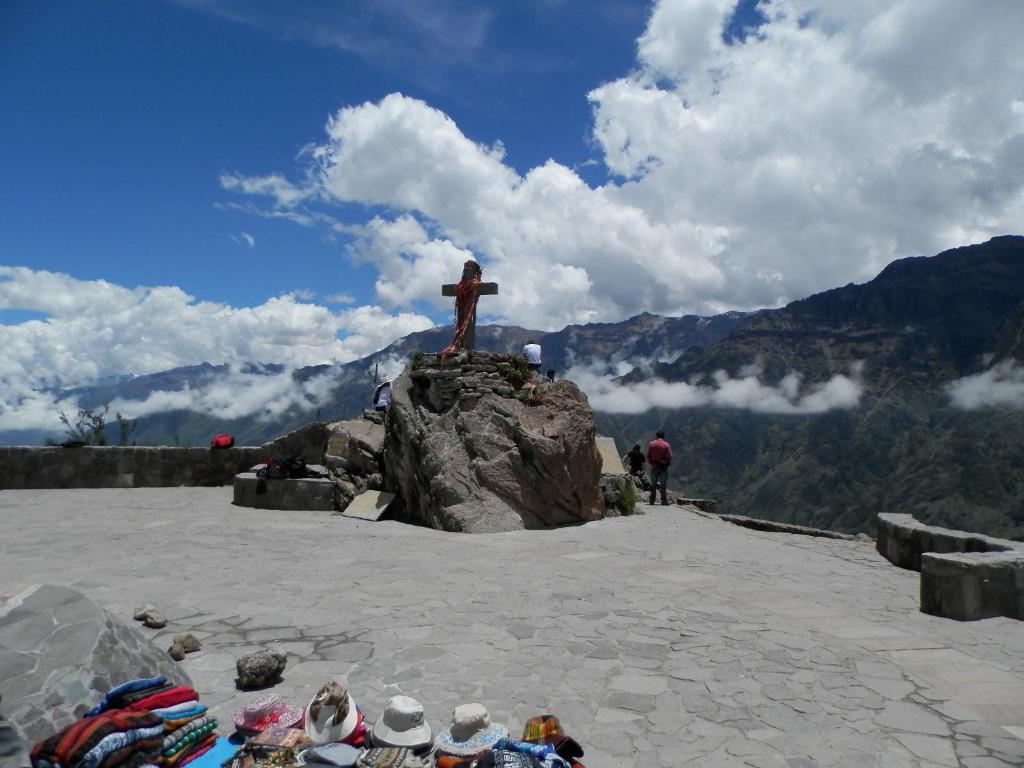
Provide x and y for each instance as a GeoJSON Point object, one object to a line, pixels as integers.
{"type": "Point", "coordinates": [465, 451]}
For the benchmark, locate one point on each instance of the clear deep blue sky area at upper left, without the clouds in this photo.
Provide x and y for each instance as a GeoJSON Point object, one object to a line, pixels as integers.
{"type": "Point", "coordinates": [122, 116]}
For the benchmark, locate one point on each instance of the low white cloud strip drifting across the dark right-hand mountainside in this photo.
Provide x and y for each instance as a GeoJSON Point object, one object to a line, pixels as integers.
{"type": "Point", "coordinates": [790, 397]}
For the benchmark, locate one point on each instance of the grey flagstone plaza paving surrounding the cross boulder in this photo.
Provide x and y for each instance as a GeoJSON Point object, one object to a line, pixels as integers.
{"type": "Point", "coordinates": [667, 639]}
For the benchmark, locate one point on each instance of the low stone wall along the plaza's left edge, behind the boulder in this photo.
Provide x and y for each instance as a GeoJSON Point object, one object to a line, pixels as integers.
{"type": "Point", "coordinates": [139, 466]}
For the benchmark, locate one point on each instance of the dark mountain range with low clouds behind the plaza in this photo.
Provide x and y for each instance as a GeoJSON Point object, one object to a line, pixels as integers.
{"type": "Point", "coordinates": [898, 346]}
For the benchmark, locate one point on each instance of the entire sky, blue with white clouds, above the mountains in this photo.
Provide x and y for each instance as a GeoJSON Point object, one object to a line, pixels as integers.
{"type": "Point", "coordinates": [229, 181]}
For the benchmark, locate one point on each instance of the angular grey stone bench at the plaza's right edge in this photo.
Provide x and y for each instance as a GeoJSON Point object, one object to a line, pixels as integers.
{"type": "Point", "coordinates": [966, 577]}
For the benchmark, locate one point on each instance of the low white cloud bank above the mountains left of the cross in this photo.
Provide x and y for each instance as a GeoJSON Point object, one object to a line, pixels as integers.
{"type": "Point", "coordinates": [96, 328]}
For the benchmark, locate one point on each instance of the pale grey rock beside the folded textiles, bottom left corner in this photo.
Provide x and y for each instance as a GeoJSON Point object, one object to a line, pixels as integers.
{"type": "Point", "coordinates": [60, 653]}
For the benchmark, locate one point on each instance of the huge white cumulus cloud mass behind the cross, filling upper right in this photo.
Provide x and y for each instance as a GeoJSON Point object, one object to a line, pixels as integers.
{"type": "Point", "coordinates": [838, 138]}
